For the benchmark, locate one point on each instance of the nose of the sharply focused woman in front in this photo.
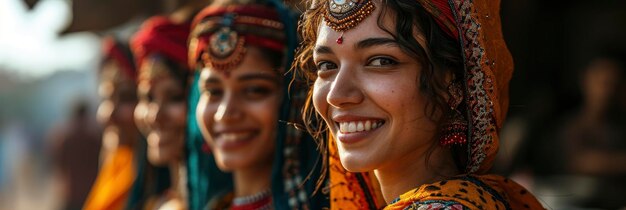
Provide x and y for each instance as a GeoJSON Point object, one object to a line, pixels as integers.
{"type": "Point", "coordinates": [345, 90]}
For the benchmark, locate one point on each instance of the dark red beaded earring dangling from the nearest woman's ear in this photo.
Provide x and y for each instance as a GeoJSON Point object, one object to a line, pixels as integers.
{"type": "Point", "coordinates": [454, 130]}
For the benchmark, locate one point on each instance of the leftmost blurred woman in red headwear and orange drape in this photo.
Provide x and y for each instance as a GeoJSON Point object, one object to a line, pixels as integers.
{"type": "Point", "coordinates": [120, 137]}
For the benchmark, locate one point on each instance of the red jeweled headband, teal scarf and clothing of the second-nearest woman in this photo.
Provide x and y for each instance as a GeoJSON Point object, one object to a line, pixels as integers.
{"type": "Point", "coordinates": [227, 31]}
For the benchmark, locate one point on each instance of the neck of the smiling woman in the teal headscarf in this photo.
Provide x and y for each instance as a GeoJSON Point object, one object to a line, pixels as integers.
{"type": "Point", "coordinates": [252, 180]}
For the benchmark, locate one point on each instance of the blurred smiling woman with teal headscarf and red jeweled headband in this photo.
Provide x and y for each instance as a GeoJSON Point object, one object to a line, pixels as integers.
{"type": "Point", "coordinates": [247, 106]}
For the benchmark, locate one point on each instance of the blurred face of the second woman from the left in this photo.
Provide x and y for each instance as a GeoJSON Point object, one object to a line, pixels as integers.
{"type": "Point", "coordinates": [161, 113]}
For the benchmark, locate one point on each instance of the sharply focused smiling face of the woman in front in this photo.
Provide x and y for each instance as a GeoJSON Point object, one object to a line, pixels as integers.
{"type": "Point", "coordinates": [367, 91]}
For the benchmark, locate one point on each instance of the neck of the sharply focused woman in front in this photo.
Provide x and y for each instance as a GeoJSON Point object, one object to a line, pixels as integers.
{"type": "Point", "coordinates": [411, 172]}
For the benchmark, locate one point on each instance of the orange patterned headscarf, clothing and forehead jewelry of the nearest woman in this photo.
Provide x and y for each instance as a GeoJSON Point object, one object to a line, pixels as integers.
{"type": "Point", "coordinates": [488, 67]}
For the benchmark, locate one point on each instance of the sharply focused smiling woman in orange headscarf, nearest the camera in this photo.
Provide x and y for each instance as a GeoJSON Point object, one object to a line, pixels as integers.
{"type": "Point", "coordinates": [415, 91]}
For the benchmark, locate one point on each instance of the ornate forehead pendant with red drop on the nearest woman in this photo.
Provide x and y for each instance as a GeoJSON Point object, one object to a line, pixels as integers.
{"type": "Point", "coordinates": [343, 15]}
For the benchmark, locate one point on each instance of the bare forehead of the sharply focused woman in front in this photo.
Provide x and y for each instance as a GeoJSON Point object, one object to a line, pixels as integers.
{"type": "Point", "coordinates": [369, 27]}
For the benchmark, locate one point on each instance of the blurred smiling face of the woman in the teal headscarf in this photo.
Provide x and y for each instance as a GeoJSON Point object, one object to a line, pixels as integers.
{"type": "Point", "coordinates": [238, 112]}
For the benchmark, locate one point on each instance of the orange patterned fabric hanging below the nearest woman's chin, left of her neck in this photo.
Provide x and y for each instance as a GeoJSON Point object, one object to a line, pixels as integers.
{"type": "Point", "coordinates": [345, 190]}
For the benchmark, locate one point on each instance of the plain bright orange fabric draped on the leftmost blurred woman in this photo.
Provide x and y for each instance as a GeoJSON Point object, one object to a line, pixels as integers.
{"type": "Point", "coordinates": [114, 182]}
